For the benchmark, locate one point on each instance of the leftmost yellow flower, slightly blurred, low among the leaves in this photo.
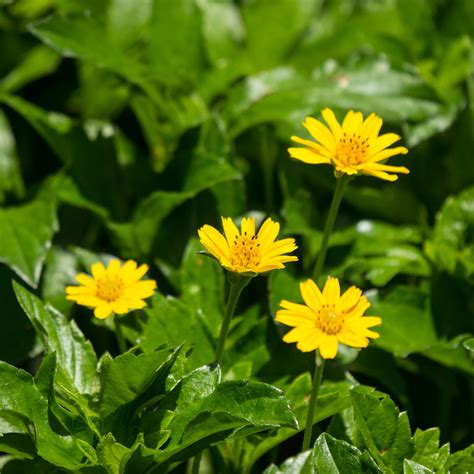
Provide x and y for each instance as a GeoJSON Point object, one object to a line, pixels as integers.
{"type": "Point", "coordinates": [115, 289]}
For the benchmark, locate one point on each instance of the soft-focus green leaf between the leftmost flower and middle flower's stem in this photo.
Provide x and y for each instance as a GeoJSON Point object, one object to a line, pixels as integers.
{"type": "Point", "coordinates": [164, 325]}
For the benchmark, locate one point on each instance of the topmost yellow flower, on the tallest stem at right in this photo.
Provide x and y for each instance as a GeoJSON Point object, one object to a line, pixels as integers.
{"type": "Point", "coordinates": [352, 148]}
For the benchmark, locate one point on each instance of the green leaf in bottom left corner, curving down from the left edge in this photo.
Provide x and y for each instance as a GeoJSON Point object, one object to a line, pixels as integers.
{"type": "Point", "coordinates": [19, 394]}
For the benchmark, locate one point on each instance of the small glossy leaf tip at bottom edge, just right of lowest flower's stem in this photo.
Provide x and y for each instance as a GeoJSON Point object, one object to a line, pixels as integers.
{"type": "Point", "coordinates": [333, 456]}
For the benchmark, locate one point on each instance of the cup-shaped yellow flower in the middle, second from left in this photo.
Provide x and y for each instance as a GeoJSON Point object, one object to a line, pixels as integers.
{"type": "Point", "coordinates": [246, 251]}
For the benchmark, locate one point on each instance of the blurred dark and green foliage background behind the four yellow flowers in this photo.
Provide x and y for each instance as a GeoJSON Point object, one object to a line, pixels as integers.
{"type": "Point", "coordinates": [125, 125]}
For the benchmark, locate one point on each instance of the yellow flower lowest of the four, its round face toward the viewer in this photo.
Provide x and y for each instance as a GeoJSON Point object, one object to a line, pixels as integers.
{"type": "Point", "coordinates": [328, 318]}
